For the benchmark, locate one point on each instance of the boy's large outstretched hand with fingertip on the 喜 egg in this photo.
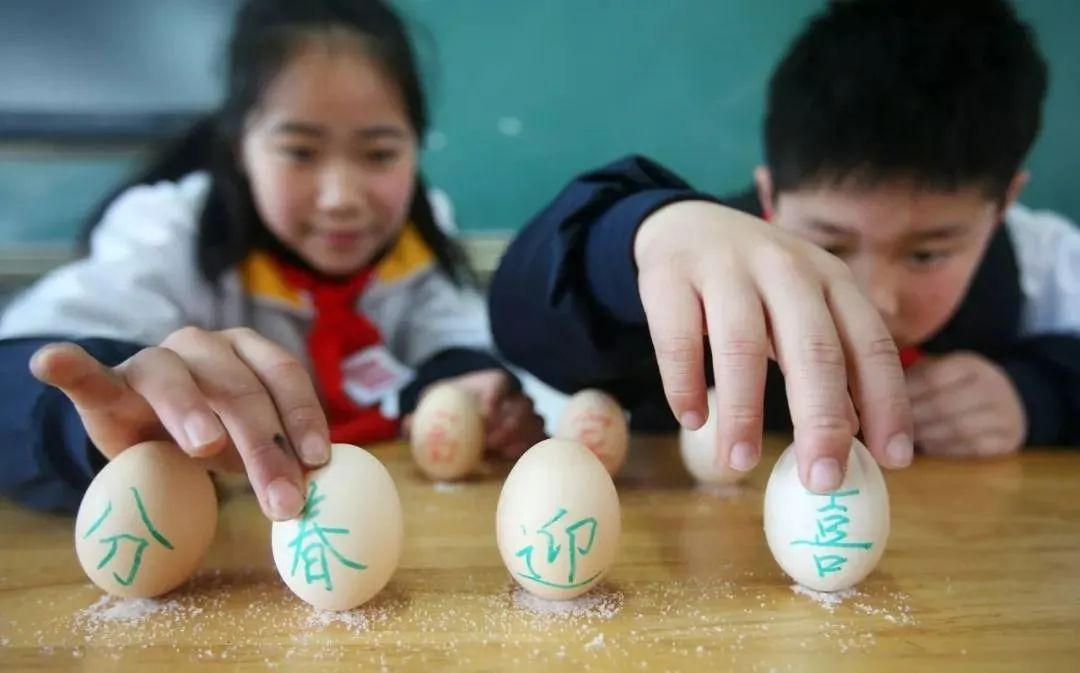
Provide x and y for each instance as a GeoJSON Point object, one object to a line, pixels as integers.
{"type": "Point", "coordinates": [757, 290]}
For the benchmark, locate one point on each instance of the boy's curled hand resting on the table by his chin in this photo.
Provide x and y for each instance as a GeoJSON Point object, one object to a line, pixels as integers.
{"type": "Point", "coordinates": [965, 406]}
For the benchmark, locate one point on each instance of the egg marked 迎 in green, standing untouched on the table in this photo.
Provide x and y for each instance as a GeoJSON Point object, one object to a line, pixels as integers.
{"type": "Point", "coordinates": [558, 522]}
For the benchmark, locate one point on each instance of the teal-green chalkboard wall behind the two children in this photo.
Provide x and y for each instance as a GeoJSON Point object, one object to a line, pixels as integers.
{"type": "Point", "coordinates": [524, 95]}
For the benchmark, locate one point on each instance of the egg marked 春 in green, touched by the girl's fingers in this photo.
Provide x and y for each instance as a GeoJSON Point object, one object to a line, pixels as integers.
{"type": "Point", "coordinates": [345, 546]}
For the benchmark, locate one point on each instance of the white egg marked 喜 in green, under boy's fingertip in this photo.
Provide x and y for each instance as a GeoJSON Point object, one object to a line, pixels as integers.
{"type": "Point", "coordinates": [829, 542]}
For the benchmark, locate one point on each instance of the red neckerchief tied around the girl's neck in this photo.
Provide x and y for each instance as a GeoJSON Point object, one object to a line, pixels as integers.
{"type": "Point", "coordinates": [339, 332]}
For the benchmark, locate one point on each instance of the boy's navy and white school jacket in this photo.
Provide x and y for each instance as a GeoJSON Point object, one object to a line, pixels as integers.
{"type": "Point", "coordinates": [565, 304]}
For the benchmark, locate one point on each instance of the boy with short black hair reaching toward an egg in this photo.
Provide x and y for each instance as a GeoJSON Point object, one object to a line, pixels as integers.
{"type": "Point", "coordinates": [894, 140]}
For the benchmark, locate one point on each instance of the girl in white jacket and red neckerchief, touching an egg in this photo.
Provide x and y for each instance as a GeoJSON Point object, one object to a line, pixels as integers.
{"type": "Point", "coordinates": [289, 233]}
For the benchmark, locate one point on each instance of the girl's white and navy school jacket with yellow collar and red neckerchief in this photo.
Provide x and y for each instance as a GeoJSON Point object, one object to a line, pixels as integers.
{"type": "Point", "coordinates": [372, 344]}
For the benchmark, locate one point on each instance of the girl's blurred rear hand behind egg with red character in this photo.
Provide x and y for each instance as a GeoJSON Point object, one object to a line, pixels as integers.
{"type": "Point", "coordinates": [511, 425]}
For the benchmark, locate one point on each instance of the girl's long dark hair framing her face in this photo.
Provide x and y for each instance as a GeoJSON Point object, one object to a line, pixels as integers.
{"type": "Point", "coordinates": [265, 34]}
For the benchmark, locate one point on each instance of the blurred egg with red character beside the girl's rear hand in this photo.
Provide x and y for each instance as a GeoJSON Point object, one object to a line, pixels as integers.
{"type": "Point", "coordinates": [448, 434]}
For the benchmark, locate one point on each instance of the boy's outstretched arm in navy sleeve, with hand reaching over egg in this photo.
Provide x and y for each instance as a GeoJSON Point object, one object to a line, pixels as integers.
{"type": "Point", "coordinates": [622, 277]}
